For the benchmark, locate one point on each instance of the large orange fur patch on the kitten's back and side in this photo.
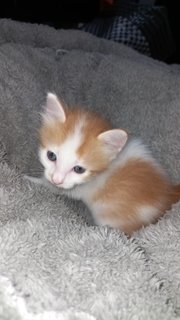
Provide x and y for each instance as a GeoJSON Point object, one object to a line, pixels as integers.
{"type": "Point", "coordinates": [138, 183]}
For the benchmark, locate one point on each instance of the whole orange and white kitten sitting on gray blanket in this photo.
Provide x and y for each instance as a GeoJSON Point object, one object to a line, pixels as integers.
{"type": "Point", "coordinates": [119, 181]}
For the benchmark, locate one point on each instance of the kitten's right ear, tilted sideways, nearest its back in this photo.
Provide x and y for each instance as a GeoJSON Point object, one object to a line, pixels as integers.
{"type": "Point", "coordinates": [113, 141]}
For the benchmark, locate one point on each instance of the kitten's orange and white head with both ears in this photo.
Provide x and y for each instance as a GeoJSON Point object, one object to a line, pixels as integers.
{"type": "Point", "coordinates": [75, 145]}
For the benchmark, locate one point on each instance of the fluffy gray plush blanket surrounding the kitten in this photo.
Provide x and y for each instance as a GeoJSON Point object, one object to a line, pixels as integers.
{"type": "Point", "coordinates": [54, 264]}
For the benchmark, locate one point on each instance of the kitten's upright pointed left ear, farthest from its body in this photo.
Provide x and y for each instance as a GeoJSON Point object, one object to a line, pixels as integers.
{"type": "Point", "coordinates": [53, 110]}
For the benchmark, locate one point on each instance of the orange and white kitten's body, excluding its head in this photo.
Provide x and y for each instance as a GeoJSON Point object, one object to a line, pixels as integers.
{"type": "Point", "coordinates": [133, 192]}
